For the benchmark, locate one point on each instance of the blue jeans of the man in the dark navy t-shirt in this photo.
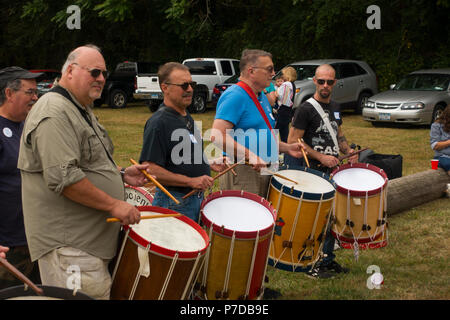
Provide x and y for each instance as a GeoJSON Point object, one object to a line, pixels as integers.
{"type": "Point", "coordinates": [190, 207]}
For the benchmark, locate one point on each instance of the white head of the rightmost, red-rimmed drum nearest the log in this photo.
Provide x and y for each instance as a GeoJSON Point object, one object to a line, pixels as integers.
{"type": "Point", "coordinates": [358, 179]}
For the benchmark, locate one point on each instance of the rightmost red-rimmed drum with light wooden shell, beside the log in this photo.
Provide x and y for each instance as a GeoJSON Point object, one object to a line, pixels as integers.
{"type": "Point", "coordinates": [360, 212]}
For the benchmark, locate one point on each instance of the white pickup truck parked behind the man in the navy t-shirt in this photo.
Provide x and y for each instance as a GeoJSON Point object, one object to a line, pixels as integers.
{"type": "Point", "coordinates": [207, 72]}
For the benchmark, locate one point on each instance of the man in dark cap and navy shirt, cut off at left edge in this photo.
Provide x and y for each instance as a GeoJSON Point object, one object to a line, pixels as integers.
{"type": "Point", "coordinates": [18, 93]}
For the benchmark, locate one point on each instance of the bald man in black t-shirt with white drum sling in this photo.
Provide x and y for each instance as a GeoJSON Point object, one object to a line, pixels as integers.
{"type": "Point", "coordinates": [323, 142]}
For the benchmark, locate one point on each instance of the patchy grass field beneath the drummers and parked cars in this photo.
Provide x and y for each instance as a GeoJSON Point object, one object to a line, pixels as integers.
{"type": "Point", "coordinates": [415, 264]}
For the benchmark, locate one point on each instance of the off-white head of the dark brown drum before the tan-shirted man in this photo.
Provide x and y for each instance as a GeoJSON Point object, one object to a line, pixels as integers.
{"type": "Point", "coordinates": [169, 233]}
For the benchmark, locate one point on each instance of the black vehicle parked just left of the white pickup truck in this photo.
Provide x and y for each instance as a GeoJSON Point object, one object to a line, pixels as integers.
{"type": "Point", "coordinates": [120, 84]}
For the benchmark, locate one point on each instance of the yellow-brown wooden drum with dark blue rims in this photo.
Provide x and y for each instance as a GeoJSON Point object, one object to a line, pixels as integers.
{"type": "Point", "coordinates": [303, 216]}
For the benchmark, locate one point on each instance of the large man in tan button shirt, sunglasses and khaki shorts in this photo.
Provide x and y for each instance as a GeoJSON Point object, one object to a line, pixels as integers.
{"type": "Point", "coordinates": [70, 183]}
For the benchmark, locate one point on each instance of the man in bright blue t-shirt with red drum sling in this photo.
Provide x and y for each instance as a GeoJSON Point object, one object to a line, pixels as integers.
{"type": "Point", "coordinates": [243, 129]}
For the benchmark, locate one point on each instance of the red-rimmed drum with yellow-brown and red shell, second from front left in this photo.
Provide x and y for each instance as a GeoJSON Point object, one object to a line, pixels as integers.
{"type": "Point", "coordinates": [240, 225]}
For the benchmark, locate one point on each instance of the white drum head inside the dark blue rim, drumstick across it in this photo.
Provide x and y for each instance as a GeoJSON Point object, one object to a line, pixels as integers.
{"type": "Point", "coordinates": [307, 182]}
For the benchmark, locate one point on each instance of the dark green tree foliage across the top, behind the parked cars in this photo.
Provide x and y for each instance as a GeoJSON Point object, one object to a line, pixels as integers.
{"type": "Point", "coordinates": [414, 34]}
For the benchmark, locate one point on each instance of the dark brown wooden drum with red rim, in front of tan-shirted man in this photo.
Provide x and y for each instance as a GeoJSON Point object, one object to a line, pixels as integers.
{"type": "Point", "coordinates": [159, 258]}
